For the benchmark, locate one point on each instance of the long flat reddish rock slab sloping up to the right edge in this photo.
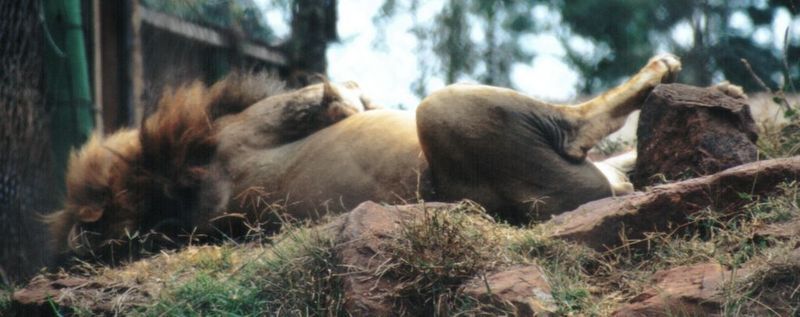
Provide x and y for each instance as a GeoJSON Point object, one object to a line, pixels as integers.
{"type": "Point", "coordinates": [599, 224]}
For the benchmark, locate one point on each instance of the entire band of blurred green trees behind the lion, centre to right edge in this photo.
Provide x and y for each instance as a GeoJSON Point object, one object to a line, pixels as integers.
{"type": "Point", "coordinates": [604, 40]}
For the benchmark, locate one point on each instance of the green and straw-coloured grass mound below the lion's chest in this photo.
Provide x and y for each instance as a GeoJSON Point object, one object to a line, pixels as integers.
{"type": "Point", "coordinates": [292, 277]}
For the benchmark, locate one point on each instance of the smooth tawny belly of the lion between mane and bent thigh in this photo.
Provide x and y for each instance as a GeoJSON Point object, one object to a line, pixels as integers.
{"type": "Point", "coordinates": [370, 156]}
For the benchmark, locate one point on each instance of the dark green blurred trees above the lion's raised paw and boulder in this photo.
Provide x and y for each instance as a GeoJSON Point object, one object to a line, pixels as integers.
{"type": "Point", "coordinates": [633, 30]}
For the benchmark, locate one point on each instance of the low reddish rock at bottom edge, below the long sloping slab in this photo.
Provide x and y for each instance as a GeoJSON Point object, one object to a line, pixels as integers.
{"type": "Point", "coordinates": [692, 290]}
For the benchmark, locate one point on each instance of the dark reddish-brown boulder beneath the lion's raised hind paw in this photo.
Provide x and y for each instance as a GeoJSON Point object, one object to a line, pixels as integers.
{"type": "Point", "coordinates": [691, 131]}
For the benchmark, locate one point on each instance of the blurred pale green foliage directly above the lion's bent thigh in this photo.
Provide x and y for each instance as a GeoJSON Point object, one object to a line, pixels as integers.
{"type": "Point", "coordinates": [460, 54]}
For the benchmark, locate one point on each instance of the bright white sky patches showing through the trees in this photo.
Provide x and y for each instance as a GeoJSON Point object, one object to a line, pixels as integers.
{"type": "Point", "coordinates": [386, 72]}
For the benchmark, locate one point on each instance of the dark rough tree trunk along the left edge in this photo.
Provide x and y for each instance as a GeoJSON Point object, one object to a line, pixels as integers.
{"type": "Point", "coordinates": [25, 162]}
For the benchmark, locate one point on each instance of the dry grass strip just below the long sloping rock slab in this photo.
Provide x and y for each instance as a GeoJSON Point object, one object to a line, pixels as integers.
{"type": "Point", "coordinates": [728, 237]}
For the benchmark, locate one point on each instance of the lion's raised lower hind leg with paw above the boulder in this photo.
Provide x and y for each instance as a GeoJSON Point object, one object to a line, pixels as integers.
{"type": "Point", "coordinates": [604, 114]}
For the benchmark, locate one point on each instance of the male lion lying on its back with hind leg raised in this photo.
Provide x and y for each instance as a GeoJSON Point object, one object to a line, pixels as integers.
{"type": "Point", "coordinates": [244, 145]}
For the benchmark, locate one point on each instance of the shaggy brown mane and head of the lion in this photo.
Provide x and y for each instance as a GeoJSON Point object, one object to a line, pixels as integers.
{"type": "Point", "coordinates": [115, 182]}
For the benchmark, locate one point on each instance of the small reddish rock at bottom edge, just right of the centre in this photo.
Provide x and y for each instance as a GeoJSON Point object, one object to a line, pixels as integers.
{"type": "Point", "coordinates": [521, 288]}
